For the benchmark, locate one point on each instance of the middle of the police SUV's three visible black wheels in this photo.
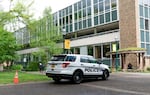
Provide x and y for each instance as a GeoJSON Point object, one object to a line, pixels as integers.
{"type": "Point", "coordinates": [77, 77]}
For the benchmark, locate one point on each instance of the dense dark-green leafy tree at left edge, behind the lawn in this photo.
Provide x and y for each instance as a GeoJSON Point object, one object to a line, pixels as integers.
{"type": "Point", "coordinates": [7, 46]}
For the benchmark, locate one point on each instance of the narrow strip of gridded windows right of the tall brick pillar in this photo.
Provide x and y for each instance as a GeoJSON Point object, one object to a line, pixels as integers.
{"type": "Point", "coordinates": [144, 13]}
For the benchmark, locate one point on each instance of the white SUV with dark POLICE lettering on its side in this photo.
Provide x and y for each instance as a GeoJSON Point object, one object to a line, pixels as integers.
{"type": "Point", "coordinates": [76, 68]}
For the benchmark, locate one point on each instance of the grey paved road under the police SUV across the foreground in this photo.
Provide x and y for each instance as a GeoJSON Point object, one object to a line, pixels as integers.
{"type": "Point", "coordinates": [118, 84]}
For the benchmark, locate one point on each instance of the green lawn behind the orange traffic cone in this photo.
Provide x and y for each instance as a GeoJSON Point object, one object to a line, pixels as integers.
{"type": "Point", "coordinates": [7, 77]}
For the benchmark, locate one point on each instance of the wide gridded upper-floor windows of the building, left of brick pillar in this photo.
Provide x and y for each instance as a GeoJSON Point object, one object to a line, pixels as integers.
{"type": "Point", "coordinates": [87, 13]}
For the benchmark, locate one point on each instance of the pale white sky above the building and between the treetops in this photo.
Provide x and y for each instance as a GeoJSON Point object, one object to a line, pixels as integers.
{"type": "Point", "coordinates": [40, 5]}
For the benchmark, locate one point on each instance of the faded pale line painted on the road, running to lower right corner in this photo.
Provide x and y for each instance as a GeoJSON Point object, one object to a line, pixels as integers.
{"type": "Point", "coordinates": [116, 90]}
